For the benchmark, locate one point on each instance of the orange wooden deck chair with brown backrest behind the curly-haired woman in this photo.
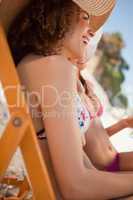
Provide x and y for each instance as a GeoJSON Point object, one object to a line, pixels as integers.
{"type": "Point", "coordinates": [19, 131]}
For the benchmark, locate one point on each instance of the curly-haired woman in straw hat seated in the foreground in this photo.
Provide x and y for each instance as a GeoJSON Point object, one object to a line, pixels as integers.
{"type": "Point", "coordinates": [50, 38]}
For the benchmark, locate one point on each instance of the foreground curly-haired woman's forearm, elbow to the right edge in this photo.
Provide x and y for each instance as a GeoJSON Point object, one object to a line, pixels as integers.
{"type": "Point", "coordinates": [99, 185]}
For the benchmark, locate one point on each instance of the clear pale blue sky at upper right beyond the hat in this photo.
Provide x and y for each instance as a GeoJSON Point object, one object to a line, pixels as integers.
{"type": "Point", "coordinates": [121, 20]}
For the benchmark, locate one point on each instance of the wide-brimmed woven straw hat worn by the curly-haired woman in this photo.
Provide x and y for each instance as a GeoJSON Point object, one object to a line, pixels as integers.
{"type": "Point", "coordinates": [98, 10]}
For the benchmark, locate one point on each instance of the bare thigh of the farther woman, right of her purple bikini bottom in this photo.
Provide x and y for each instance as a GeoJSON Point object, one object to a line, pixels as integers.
{"type": "Point", "coordinates": [126, 161]}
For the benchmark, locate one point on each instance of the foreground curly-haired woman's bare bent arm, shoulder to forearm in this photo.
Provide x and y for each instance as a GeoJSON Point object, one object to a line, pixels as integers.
{"type": "Point", "coordinates": [76, 180]}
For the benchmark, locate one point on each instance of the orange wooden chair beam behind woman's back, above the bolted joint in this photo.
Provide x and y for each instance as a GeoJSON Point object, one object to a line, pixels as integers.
{"type": "Point", "coordinates": [8, 74]}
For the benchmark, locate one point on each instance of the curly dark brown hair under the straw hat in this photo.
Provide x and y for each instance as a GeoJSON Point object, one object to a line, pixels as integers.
{"type": "Point", "coordinates": [41, 26]}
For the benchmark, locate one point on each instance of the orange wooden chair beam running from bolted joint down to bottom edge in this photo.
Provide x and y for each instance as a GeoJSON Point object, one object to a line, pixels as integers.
{"type": "Point", "coordinates": [41, 184]}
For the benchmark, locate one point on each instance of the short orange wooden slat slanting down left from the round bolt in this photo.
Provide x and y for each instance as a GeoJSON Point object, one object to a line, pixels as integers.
{"type": "Point", "coordinates": [9, 142]}
